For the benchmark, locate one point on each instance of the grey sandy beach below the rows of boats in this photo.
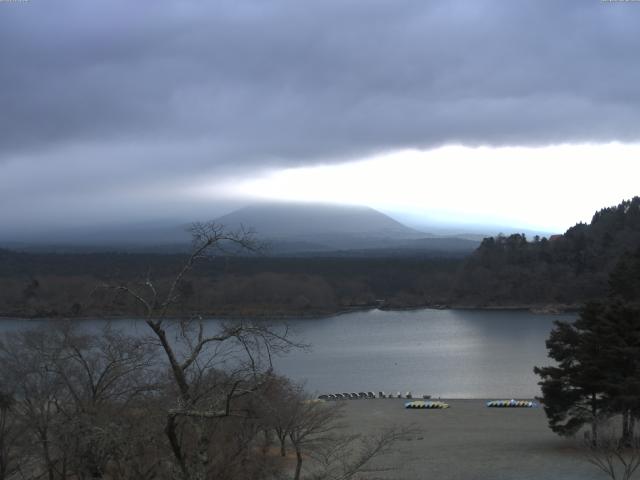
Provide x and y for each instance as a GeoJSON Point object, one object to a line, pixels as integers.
{"type": "Point", "coordinates": [471, 442]}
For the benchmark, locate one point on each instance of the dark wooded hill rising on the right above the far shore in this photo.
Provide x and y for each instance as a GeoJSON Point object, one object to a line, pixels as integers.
{"type": "Point", "coordinates": [565, 269]}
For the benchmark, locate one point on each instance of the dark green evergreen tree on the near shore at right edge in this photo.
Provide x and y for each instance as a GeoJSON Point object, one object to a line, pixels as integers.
{"type": "Point", "coordinates": [598, 369]}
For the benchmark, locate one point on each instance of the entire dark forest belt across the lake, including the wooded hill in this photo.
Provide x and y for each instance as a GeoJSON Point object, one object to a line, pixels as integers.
{"type": "Point", "coordinates": [505, 271]}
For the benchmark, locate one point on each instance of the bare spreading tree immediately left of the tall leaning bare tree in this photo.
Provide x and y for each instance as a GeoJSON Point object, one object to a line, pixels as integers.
{"type": "Point", "coordinates": [103, 374]}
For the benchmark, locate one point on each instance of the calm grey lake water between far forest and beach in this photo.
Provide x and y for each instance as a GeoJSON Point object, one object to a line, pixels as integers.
{"type": "Point", "coordinates": [446, 353]}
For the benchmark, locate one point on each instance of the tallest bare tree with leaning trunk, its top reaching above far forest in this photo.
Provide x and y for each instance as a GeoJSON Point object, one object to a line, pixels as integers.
{"type": "Point", "coordinates": [243, 350]}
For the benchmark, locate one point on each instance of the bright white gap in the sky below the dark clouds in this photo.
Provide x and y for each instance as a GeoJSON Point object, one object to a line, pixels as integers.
{"type": "Point", "coordinates": [545, 188]}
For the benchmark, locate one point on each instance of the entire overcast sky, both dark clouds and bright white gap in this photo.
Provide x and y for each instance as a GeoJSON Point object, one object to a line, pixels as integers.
{"type": "Point", "coordinates": [118, 110]}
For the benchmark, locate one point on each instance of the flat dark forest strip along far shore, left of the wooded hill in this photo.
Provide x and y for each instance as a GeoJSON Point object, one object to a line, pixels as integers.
{"type": "Point", "coordinates": [69, 285]}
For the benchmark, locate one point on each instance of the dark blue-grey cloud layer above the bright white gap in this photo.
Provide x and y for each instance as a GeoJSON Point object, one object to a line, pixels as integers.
{"type": "Point", "coordinates": [97, 95]}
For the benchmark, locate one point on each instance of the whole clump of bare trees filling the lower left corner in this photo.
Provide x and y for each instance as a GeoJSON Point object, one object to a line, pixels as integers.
{"type": "Point", "coordinates": [72, 394]}
